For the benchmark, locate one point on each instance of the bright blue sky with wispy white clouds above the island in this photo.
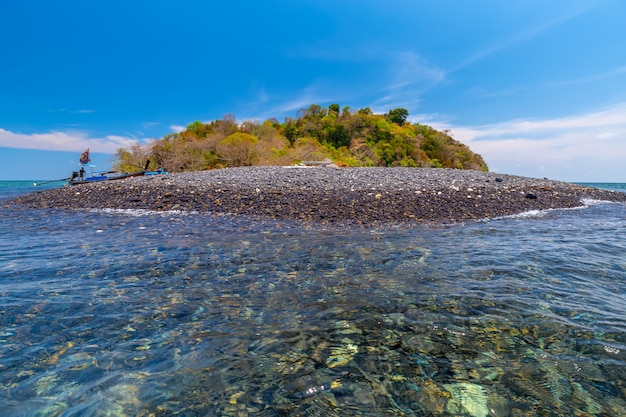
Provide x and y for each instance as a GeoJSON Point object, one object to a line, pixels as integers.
{"type": "Point", "coordinates": [538, 88]}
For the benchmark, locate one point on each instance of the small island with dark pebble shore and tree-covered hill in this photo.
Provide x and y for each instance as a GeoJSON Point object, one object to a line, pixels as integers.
{"type": "Point", "coordinates": [363, 169]}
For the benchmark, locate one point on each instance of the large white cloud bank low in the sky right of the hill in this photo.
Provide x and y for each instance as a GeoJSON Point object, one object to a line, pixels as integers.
{"type": "Point", "coordinates": [585, 147]}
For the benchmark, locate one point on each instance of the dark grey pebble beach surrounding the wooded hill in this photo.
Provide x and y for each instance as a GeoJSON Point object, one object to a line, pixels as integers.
{"type": "Point", "coordinates": [324, 195]}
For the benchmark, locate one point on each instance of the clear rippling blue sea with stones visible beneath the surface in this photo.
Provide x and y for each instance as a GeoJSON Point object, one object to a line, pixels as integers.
{"type": "Point", "coordinates": [139, 313]}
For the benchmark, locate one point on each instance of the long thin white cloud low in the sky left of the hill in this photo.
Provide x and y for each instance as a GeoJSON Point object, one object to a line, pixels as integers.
{"type": "Point", "coordinates": [75, 141]}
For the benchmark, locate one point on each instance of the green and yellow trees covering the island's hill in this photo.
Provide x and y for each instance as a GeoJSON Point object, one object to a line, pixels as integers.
{"type": "Point", "coordinates": [348, 138]}
